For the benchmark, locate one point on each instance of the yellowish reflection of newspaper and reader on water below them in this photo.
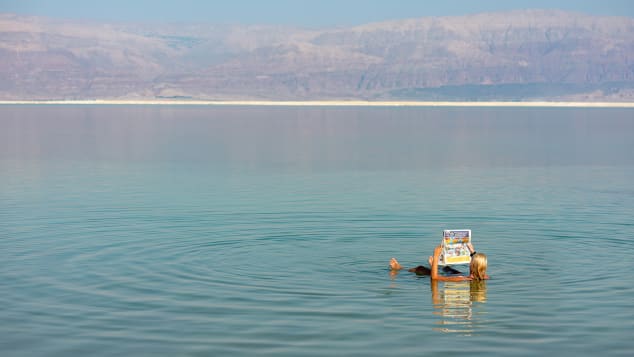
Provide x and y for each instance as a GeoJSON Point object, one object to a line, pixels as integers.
{"type": "Point", "coordinates": [460, 305]}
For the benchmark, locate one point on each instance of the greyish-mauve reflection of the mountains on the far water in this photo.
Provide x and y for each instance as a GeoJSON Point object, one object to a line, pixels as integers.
{"type": "Point", "coordinates": [317, 139]}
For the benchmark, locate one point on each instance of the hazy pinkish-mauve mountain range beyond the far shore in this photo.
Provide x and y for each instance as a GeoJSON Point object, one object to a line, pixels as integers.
{"type": "Point", "coordinates": [520, 55]}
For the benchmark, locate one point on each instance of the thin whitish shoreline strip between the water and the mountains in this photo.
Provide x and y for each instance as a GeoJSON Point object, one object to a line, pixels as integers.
{"type": "Point", "coordinates": [323, 103]}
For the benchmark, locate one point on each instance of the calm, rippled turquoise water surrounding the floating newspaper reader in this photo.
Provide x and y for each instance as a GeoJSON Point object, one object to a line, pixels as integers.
{"type": "Point", "coordinates": [130, 230]}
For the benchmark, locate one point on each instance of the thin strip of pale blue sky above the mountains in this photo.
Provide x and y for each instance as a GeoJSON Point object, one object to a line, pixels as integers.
{"type": "Point", "coordinates": [308, 13]}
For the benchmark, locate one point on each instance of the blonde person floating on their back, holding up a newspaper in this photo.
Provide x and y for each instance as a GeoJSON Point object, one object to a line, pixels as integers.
{"type": "Point", "coordinates": [477, 267]}
